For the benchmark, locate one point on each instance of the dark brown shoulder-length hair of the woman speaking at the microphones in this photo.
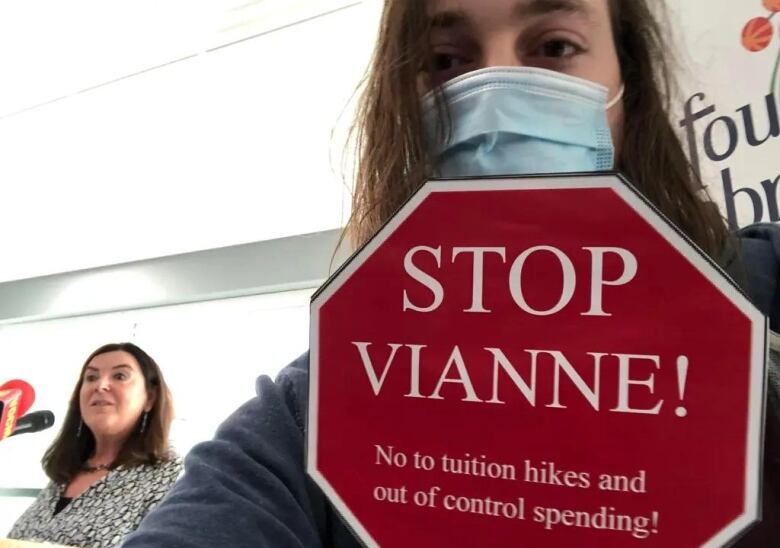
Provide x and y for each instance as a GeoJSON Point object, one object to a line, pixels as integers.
{"type": "Point", "coordinates": [75, 444]}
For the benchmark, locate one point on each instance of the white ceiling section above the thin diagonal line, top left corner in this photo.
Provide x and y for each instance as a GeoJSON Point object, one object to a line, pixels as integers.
{"type": "Point", "coordinates": [52, 49]}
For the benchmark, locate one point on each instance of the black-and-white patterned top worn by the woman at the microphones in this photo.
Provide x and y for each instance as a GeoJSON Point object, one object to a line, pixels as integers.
{"type": "Point", "coordinates": [102, 515]}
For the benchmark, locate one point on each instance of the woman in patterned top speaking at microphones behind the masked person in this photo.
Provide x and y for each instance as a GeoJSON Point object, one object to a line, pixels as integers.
{"type": "Point", "coordinates": [111, 462]}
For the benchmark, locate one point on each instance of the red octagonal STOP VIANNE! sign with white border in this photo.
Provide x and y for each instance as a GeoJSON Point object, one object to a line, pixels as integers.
{"type": "Point", "coordinates": [538, 361]}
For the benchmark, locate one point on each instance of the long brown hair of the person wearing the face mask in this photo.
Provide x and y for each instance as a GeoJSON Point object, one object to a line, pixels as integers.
{"type": "Point", "coordinates": [391, 161]}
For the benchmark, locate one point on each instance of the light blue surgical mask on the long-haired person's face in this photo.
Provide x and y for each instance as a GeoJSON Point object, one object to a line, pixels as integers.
{"type": "Point", "coordinates": [518, 121]}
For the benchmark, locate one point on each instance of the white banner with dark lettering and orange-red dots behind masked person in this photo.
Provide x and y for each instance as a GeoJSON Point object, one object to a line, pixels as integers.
{"type": "Point", "coordinates": [728, 112]}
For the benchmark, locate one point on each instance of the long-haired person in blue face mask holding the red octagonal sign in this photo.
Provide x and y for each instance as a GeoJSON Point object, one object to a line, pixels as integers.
{"type": "Point", "coordinates": [475, 88]}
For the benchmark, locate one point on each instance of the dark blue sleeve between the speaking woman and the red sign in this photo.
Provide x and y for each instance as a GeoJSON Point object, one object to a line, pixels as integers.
{"type": "Point", "coordinates": [246, 487]}
